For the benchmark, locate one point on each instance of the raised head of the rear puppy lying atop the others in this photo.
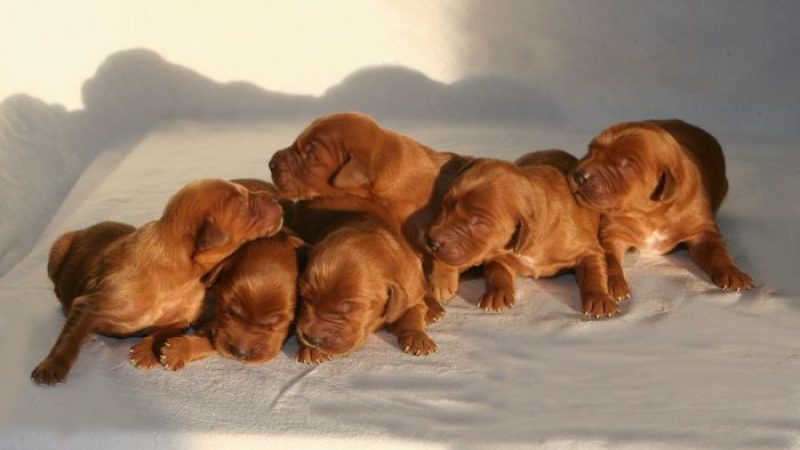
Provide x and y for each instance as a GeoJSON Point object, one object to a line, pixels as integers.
{"type": "Point", "coordinates": [332, 155]}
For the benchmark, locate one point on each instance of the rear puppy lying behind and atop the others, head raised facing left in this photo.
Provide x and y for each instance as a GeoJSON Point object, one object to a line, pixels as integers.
{"type": "Point", "coordinates": [350, 153]}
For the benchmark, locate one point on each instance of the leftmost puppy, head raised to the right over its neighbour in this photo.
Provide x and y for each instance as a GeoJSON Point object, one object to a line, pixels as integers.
{"type": "Point", "coordinates": [115, 280]}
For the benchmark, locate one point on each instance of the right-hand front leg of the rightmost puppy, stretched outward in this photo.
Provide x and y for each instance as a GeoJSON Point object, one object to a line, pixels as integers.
{"type": "Point", "coordinates": [708, 251]}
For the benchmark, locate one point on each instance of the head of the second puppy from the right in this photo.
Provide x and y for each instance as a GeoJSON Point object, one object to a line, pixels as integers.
{"type": "Point", "coordinates": [485, 212]}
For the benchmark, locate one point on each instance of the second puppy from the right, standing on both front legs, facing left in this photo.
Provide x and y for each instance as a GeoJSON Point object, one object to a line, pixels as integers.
{"type": "Point", "coordinates": [521, 219]}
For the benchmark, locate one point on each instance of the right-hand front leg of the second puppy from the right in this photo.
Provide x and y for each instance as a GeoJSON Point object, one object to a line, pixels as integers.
{"type": "Point", "coordinates": [593, 282]}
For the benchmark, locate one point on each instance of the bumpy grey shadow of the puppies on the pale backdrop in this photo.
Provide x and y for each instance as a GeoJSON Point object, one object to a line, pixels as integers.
{"type": "Point", "coordinates": [44, 148]}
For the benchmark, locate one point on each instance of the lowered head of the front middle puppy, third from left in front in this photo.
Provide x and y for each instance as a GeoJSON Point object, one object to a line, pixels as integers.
{"type": "Point", "coordinates": [356, 280]}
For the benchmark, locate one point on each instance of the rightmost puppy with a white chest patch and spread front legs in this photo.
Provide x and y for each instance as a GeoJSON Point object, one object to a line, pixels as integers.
{"type": "Point", "coordinates": [658, 184]}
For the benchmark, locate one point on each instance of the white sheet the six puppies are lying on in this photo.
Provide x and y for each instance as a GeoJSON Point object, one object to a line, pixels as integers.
{"type": "Point", "coordinates": [684, 366]}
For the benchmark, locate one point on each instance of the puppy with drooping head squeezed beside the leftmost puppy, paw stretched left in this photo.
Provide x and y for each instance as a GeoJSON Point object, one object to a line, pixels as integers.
{"type": "Point", "coordinates": [252, 302]}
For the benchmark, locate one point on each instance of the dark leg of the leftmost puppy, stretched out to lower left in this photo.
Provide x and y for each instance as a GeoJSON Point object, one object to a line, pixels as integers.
{"type": "Point", "coordinates": [79, 325]}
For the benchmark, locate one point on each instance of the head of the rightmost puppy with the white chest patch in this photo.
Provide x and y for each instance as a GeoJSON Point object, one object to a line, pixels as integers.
{"type": "Point", "coordinates": [628, 166]}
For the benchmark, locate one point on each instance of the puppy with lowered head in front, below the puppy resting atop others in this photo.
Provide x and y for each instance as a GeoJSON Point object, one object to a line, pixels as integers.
{"type": "Point", "coordinates": [360, 276]}
